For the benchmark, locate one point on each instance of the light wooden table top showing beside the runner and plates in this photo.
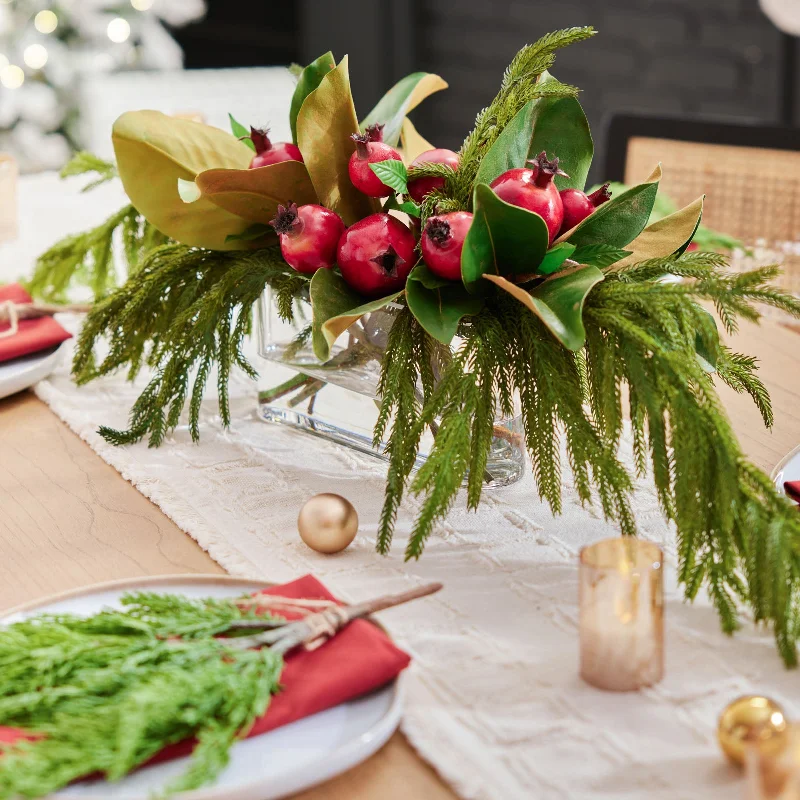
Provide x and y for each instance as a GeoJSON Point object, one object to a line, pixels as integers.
{"type": "Point", "coordinates": [68, 519]}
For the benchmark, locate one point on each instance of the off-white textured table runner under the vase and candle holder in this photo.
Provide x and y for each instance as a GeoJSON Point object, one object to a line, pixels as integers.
{"type": "Point", "coordinates": [494, 700]}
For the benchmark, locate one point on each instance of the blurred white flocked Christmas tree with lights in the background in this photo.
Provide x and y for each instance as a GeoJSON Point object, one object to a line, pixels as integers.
{"type": "Point", "coordinates": [48, 46]}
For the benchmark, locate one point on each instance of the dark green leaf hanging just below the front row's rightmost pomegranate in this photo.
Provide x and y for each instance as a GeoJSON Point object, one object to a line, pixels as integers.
{"type": "Point", "coordinates": [438, 304]}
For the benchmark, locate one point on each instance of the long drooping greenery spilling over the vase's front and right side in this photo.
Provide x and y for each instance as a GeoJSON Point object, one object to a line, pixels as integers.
{"type": "Point", "coordinates": [735, 532]}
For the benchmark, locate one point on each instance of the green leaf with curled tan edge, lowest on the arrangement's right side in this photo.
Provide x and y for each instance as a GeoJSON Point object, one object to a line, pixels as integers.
{"type": "Point", "coordinates": [558, 301]}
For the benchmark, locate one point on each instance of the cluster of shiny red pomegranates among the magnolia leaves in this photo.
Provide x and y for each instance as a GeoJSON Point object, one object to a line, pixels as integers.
{"type": "Point", "coordinates": [376, 254]}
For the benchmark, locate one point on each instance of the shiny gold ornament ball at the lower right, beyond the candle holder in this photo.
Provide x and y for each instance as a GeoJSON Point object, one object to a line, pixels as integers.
{"type": "Point", "coordinates": [756, 721]}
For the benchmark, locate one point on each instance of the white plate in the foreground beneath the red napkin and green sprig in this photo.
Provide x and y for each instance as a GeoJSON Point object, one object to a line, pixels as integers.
{"type": "Point", "coordinates": [284, 761]}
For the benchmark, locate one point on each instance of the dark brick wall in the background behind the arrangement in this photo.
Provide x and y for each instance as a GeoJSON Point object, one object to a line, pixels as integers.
{"type": "Point", "coordinates": [710, 58]}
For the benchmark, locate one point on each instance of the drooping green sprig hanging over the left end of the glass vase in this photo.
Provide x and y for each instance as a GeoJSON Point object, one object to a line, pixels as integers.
{"type": "Point", "coordinates": [183, 312]}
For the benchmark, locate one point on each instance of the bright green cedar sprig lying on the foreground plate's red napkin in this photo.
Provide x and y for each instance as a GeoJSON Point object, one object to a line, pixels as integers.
{"type": "Point", "coordinates": [108, 692]}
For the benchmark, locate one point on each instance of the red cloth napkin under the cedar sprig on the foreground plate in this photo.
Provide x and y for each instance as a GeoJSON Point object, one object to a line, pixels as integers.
{"type": "Point", "coordinates": [354, 662]}
